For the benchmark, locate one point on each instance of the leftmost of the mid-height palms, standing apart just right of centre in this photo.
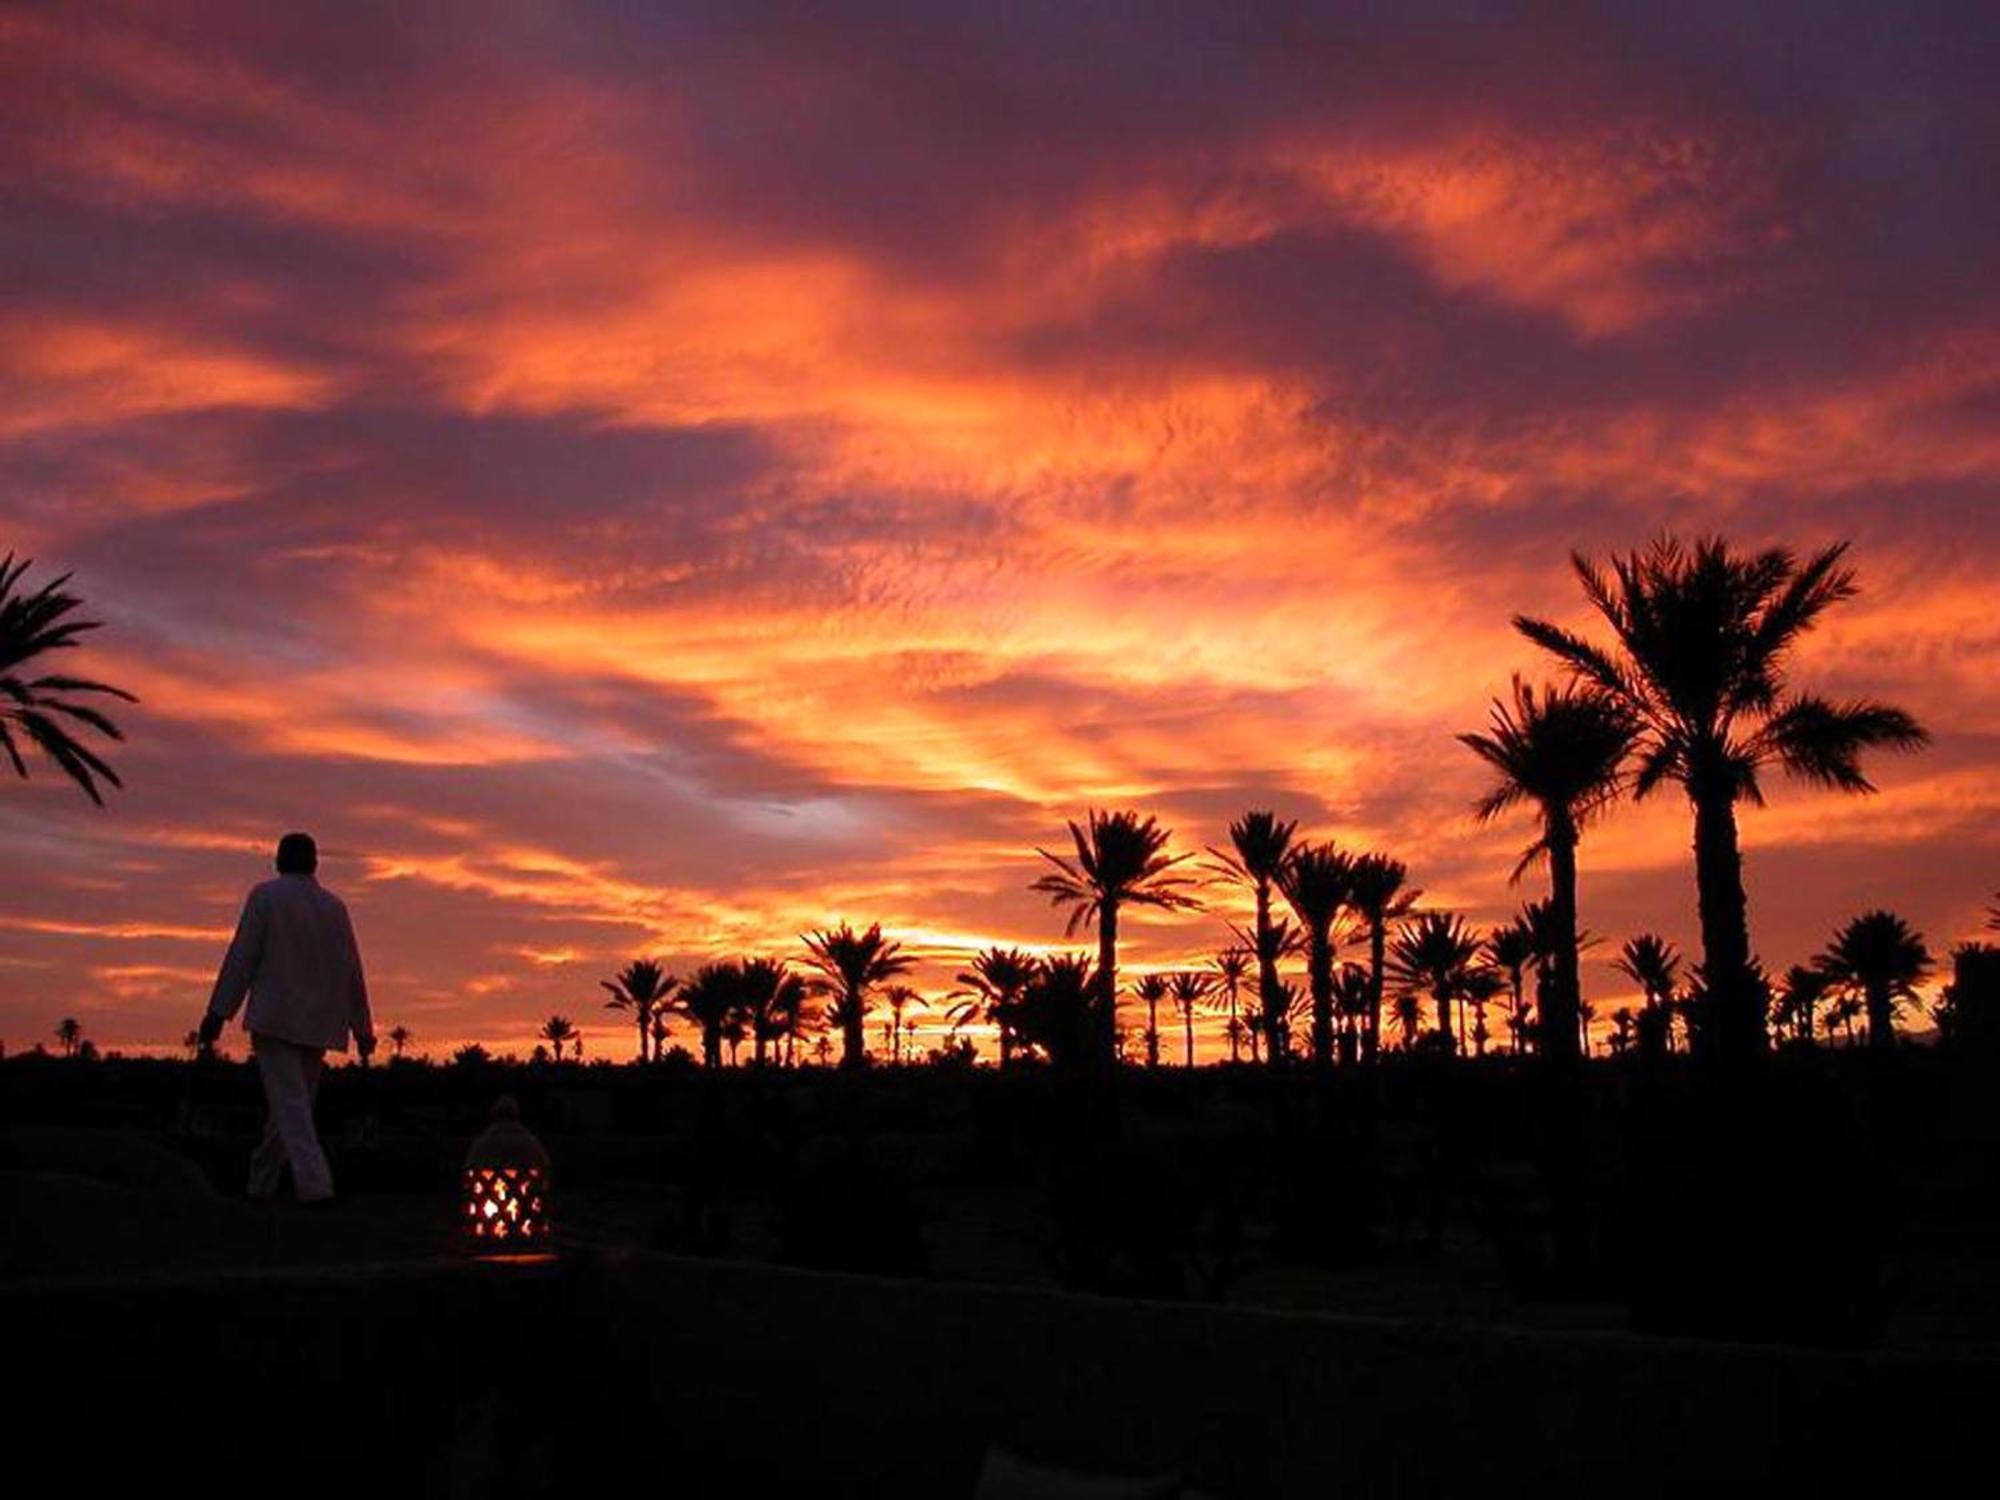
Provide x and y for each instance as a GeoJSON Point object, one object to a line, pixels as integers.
{"type": "Point", "coordinates": [1121, 861]}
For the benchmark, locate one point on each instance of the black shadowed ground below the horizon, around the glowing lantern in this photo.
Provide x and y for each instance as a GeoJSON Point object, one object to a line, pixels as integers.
{"type": "Point", "coordinates": [1273, 1287]}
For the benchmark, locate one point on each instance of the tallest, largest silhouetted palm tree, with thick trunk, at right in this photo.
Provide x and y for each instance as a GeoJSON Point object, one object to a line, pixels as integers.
{"type": "Point", "coordinates": [1703, 649]}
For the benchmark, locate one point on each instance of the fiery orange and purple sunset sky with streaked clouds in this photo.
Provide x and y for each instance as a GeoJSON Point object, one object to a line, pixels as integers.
{"type": "Point", "coordinates": [653, 481]}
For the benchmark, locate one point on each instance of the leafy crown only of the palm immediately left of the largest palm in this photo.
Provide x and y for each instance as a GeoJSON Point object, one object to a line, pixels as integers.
{"type": "Point", "coordinates": [1561, 751]}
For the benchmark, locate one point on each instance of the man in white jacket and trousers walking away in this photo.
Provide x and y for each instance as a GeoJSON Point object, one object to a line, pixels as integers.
{"type": "Point", "coordinates": [297, 959]}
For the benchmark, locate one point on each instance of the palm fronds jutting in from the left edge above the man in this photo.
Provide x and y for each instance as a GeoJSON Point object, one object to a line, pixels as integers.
{"type": "Point", "coordinates": [43, 707]}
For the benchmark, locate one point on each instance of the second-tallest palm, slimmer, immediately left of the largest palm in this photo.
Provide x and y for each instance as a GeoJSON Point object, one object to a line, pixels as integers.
{"type": "Point", "coordinates": [1561, 753]}
